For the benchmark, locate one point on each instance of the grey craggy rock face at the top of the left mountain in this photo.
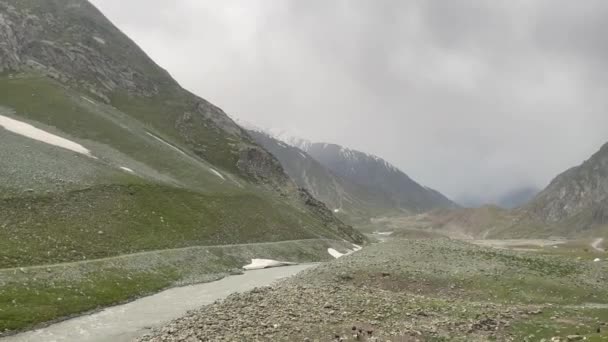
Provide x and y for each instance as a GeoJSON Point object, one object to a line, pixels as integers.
{"type": "Point", "coordinates": [55, 43]}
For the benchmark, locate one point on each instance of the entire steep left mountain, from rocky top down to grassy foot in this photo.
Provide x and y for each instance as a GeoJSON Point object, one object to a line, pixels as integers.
{"type": "Point", "coordinates": [103, 153]}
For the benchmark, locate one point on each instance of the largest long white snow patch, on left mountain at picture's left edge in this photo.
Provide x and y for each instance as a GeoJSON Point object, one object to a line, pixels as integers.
{"type": "Point", "coordinates": [32, 132]}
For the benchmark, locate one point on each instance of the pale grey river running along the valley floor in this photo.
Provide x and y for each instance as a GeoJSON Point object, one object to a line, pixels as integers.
{"type": "Point", "coordinates": [125, 322]}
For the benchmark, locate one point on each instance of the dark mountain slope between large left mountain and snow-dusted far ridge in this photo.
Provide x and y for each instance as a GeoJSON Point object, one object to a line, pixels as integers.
{"type": "Point", "coordinates": [353, 202]}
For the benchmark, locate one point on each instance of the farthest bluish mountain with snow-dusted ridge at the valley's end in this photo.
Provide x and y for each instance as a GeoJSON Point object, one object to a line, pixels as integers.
{"type": "Point", "coordinates": [377, 173]}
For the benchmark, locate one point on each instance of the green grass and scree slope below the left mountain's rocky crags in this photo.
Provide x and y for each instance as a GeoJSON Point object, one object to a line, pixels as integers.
{"type": "Point", "coordinates": [78, 207]}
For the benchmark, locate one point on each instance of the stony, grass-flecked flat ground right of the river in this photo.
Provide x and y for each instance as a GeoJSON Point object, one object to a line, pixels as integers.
{"type": "Point", "coordinates": [417, 290]}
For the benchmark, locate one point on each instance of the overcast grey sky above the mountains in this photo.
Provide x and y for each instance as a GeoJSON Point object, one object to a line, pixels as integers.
{"type": "Point", "coordinates": [473, 98]}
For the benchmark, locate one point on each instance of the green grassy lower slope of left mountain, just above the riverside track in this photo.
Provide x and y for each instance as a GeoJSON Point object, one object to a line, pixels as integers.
{"type": "Point", "coordinates": [106, 221]}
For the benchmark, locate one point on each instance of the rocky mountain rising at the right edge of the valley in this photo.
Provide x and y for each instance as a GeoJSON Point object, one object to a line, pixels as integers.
{"type": "Point", "coordinates": [576, 200]}
